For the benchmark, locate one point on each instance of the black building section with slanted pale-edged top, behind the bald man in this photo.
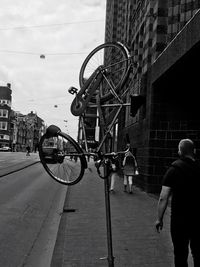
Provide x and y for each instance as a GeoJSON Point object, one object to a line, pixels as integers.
{"type": "Point", "coordinates": [174, 100]}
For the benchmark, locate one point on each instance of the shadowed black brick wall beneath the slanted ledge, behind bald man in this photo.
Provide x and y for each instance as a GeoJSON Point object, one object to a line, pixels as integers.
{"type": "Point", "coordinates": [175, 114]}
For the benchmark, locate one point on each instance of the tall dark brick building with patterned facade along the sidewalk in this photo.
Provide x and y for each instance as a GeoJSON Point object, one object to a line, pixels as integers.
{"type": "Point", "coordinates": [163, 37]}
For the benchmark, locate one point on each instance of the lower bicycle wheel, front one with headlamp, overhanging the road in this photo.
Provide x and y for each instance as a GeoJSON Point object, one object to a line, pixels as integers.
{"type": "Point", "coordinates": [66, 164]}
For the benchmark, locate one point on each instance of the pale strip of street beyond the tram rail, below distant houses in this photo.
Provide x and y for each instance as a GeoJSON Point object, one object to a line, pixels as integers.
{"type": "Point", "coordinates": [14, 161]}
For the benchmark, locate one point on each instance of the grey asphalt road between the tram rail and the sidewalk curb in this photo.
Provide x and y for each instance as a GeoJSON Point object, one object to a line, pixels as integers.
{"type": "Point", "coordinates": [31, 204]}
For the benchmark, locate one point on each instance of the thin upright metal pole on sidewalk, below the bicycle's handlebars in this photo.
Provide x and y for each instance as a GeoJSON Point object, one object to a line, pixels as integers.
{"type": "Point", "coordinates": [108, 218]}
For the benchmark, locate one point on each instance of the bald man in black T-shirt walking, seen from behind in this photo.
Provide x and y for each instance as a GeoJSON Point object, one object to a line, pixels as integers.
{"type": "Point", "coordinates": [182, 183]}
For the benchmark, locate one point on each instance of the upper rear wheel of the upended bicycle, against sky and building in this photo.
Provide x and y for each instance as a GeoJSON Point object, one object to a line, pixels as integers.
{"type": "Point", "coordinates": [116, 58]}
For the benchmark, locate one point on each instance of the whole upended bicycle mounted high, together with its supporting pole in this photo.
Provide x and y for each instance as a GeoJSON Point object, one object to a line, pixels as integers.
{"type": "Point", "coordinates": [100, 82]}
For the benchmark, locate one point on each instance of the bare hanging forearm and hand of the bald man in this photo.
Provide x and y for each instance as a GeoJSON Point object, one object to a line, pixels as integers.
{"type": "Point", "coordinates": [162, 205]}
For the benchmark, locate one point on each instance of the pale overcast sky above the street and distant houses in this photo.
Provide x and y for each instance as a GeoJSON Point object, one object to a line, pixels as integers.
{"type": "Point", "coordinates": [65, 31]}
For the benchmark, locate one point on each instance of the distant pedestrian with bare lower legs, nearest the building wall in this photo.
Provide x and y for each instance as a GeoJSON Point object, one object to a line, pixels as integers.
{"type": "Point", "coordinates": [129, 170]}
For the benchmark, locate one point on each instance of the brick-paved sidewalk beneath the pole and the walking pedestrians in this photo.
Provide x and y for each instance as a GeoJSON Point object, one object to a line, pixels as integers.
{"type": "Point", "coordinates": [82, 239]}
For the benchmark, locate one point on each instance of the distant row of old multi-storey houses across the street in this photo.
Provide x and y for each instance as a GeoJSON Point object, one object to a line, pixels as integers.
{"type": "Point", "coordinates": [18, 130]}
